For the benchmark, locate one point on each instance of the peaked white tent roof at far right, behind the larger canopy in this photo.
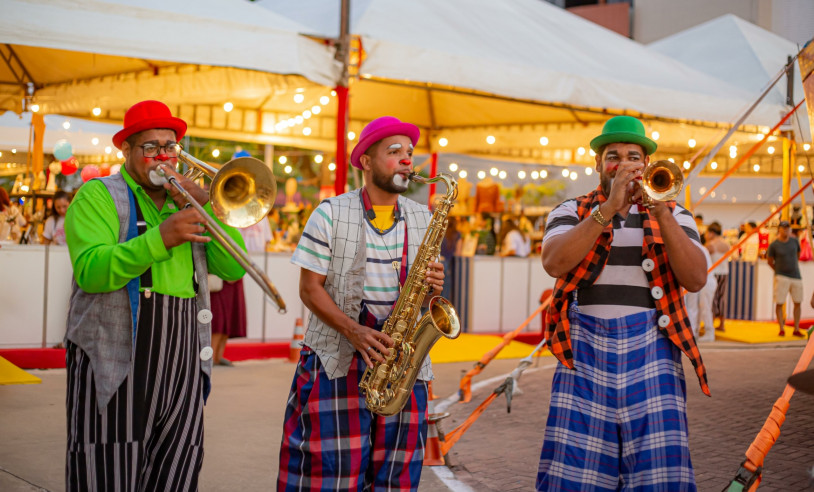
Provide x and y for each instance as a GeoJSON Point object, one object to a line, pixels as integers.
{"type": "Point", "coordinates": [741, 54]}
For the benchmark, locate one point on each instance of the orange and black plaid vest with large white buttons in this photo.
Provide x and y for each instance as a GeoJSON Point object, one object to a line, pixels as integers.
{"type": "Point", "coordinates": [585, 274]}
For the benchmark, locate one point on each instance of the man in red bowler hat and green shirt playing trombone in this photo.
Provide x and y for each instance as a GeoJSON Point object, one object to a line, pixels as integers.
{"type": "Point", "coordinates": [138, 336]}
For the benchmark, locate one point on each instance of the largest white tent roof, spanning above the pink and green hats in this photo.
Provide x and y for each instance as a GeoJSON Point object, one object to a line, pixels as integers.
{"type": "Point", "coordinates": [526, 49]}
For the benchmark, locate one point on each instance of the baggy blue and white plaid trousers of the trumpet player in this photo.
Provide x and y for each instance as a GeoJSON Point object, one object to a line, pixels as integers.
{"type": "Point", "coordinates": [619, 420]}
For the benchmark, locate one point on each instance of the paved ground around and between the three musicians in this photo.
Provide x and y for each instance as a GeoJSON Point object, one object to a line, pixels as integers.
{"type": "Point", "coordinates": [499, 452]}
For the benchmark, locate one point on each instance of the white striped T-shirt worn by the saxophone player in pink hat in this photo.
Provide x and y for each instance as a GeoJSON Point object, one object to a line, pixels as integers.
{"type": "Point", "coordinates": [381, 279]}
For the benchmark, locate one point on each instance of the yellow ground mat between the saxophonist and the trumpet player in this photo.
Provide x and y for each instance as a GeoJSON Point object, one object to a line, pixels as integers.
{"type": "Point", "coordinates": [470, 348]}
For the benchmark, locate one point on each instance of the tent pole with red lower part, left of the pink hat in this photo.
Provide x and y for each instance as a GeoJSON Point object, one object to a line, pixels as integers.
{"type": "Point", "coordinates": [342, 113]}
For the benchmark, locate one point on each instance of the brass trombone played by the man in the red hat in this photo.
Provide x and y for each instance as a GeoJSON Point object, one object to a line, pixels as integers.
{"type": "Point", "coordinates": [241, 193]}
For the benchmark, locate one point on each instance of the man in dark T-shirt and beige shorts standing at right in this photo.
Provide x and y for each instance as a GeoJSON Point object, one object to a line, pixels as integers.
{"type": "Point", "coordinates": [783, 257]}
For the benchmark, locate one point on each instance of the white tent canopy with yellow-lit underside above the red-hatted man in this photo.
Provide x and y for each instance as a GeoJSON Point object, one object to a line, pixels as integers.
{"type": "Point", "coordinates": [83, 48]}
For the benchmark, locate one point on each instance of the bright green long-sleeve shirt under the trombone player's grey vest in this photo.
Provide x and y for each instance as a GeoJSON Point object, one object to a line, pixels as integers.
{"type": "Point", "coordinates": [102, 264]}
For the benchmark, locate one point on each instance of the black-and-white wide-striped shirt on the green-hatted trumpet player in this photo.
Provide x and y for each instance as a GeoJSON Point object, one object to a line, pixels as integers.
{"type": "Point", "coordinates": [622, 287]}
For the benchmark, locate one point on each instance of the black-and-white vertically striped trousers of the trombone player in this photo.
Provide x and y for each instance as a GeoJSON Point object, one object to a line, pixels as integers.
{"type": "Point", "coordinates": [150, 436]}
